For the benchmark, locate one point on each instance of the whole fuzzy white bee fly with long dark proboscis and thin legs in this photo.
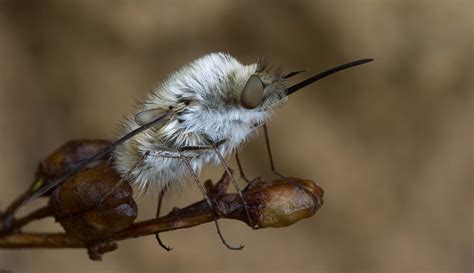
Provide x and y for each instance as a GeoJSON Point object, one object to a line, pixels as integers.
{"type": "Point", "coordinates": [200, 114]}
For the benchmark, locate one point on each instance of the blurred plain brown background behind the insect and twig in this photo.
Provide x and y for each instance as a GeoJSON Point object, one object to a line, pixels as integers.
{"type": "Point", "coordinates": [390, 142]}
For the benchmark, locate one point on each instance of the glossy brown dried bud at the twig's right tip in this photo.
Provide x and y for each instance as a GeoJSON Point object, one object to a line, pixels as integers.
{"type": "Point", "coordinates": [282, 203]}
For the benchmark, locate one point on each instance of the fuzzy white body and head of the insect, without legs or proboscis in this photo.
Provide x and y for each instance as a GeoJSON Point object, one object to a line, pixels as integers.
{"type": "Point", "coordinates": [205, 101]}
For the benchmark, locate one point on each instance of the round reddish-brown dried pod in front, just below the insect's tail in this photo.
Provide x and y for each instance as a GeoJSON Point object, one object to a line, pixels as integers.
{"type": "Point", "coordinates": [91, 205]}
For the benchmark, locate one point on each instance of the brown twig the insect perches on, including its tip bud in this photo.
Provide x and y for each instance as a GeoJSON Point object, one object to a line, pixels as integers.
{"type": "Point", "coordinates": [271, 204]}
